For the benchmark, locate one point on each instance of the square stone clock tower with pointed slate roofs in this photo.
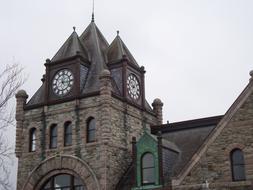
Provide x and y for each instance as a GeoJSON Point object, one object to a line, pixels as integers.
{"type": "Point", "coordinates": [75, 132]}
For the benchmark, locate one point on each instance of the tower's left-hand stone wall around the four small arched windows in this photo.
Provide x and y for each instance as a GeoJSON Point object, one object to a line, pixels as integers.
{"type": "Point", "coordinates": [57, 114]}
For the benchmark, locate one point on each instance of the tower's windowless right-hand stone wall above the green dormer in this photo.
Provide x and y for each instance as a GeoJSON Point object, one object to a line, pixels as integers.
{"type": "Point", "coordinates": [127, 122]}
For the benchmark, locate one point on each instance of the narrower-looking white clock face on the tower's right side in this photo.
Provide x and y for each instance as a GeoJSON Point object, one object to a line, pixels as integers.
{"type": "Point", "coordinates": [133, 87]}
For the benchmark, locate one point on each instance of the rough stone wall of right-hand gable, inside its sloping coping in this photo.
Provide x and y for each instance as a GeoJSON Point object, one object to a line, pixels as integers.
{"type": "Point", "coordinates": [214, 166]}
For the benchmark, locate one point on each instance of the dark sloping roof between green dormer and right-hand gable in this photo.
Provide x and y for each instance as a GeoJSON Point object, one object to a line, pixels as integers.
{"type": "Point", "coordinates": [195, 131]}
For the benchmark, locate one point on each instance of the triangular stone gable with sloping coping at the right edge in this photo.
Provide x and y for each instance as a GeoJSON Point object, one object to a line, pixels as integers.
{"type": "Point", "coordinates": [235, 130]}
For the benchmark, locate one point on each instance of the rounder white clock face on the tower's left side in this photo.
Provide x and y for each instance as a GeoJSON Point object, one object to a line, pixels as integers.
{"type": "Point", "coordinates": [62, 82]}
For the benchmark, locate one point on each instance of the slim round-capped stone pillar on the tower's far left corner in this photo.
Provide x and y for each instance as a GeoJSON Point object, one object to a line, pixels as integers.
{"type": "Point", "coordinates": [21, 98]}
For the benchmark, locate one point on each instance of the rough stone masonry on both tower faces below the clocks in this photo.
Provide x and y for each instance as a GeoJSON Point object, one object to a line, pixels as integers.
{"type": "Point", "coordinates": [126, 121]}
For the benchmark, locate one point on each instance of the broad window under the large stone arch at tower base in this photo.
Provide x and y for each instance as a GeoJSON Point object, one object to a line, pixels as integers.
{"type": "Point", "coordinates": [62, 182]}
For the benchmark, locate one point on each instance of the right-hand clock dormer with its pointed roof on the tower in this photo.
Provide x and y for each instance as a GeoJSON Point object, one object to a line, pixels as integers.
{"type": "Point", "coordinates": [126, 72]}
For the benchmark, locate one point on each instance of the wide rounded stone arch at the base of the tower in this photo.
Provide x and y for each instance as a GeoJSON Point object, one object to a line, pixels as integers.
{"type": "Point", "coordinates": [61, 164]}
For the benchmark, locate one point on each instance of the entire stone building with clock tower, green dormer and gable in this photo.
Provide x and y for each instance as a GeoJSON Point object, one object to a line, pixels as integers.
{"type": "Point", "coordinates": [89, 127]}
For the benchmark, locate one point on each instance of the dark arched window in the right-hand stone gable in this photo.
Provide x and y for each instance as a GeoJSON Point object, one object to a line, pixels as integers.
{"type": "Point", "coordinates": [237, 165]}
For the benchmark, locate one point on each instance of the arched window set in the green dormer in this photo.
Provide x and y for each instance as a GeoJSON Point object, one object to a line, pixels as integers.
{"type": "Point", "coordinates": [148, 169]}
